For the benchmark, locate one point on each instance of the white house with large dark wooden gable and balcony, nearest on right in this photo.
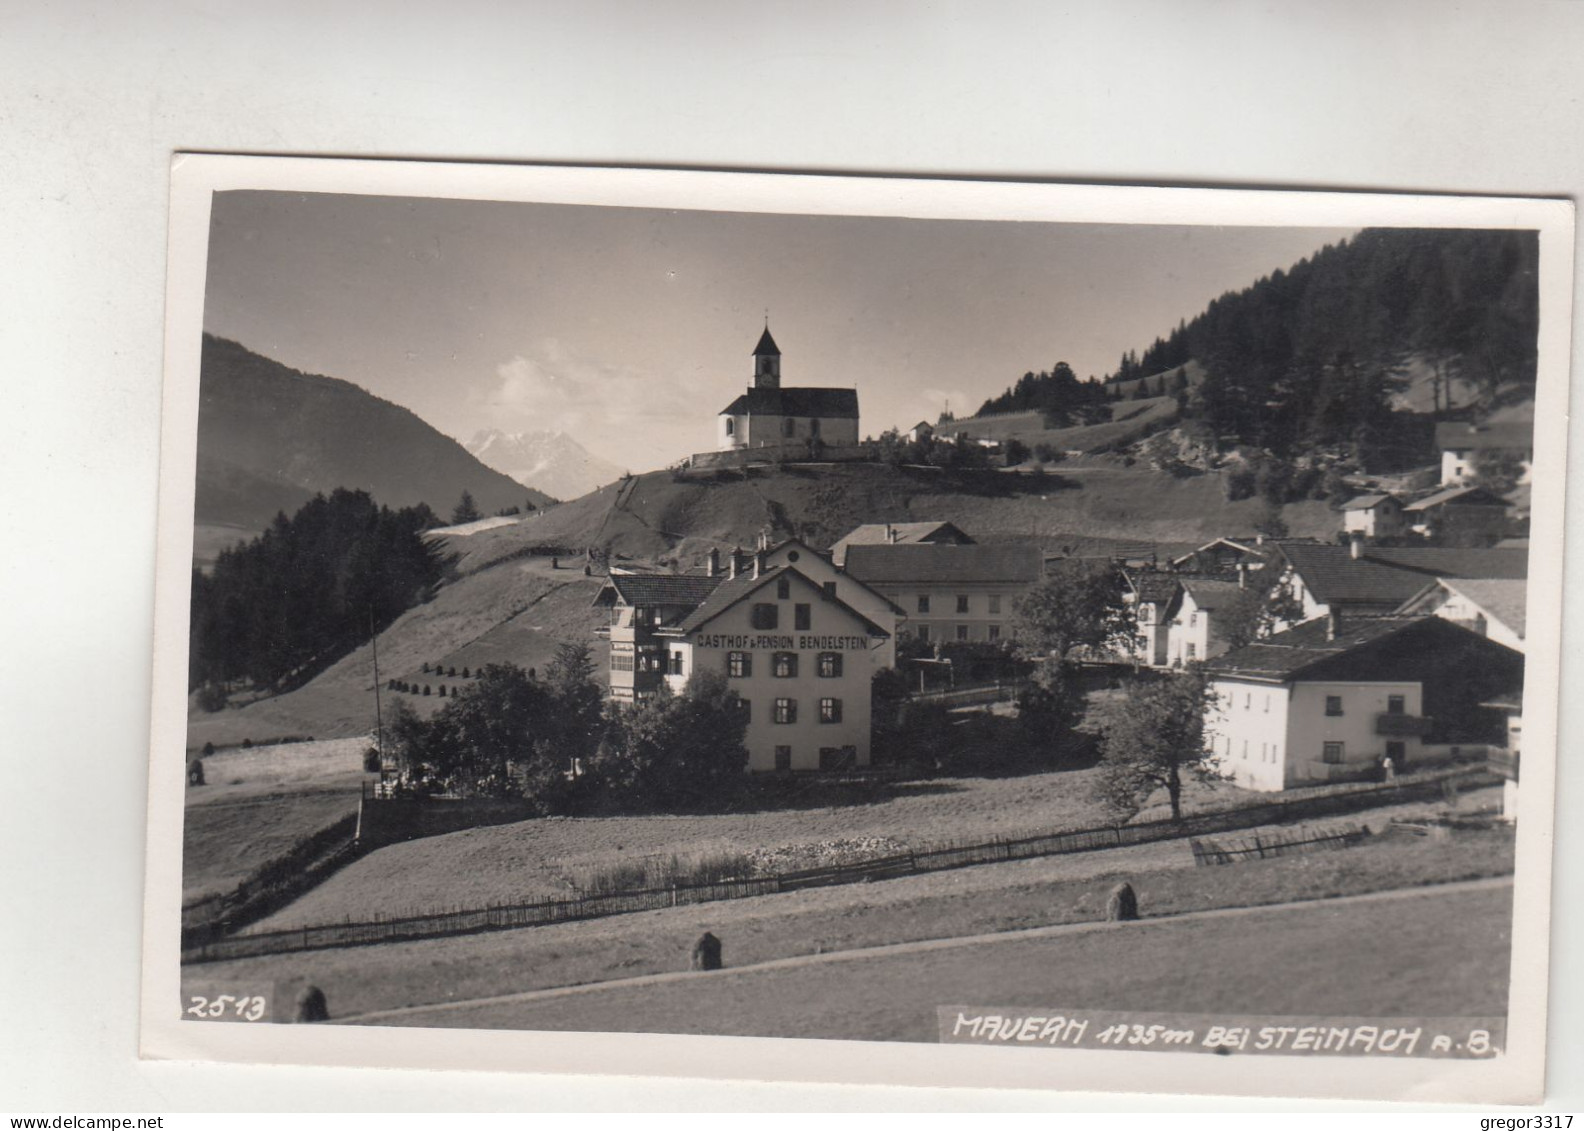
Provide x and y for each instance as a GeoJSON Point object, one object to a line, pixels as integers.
{"type": "Point", "coordinates": [1330, 701]}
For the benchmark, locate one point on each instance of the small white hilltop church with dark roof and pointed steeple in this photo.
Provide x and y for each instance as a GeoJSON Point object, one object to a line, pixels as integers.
{"type": "Point", "coordinates": [809, 421]}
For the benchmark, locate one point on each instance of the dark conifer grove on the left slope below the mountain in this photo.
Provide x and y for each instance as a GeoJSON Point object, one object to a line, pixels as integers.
{"type": "Point", "coordinates": [283, 607]}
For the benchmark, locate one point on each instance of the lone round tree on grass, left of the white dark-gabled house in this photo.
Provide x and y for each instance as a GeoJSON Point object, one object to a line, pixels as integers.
{"type": "Point", "coordinates": [1156, 742]}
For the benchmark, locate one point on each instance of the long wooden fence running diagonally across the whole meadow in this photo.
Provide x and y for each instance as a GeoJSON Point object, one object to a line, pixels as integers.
{"type": "Point", "coordinates": [934, 858]}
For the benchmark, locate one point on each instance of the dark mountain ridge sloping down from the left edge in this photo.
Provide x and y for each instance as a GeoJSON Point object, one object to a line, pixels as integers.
{"type": "Point", "coordinates": [270, 436]}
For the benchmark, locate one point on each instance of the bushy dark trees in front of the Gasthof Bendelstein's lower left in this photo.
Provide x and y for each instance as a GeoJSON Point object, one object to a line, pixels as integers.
{"type": "Point", "coordinates": [560, 747]}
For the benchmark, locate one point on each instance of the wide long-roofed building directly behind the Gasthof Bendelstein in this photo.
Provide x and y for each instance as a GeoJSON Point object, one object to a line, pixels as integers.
{"type": "Point", "coordinates": [950, 592]}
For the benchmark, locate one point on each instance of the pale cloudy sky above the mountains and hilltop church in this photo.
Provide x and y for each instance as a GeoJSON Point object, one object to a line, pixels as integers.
{"type": "Point", "coordinates": [631, 329]}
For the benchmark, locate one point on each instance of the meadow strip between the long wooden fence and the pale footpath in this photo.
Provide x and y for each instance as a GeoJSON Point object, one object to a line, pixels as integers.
{"type": "Point", "coordinates": [943, 905]}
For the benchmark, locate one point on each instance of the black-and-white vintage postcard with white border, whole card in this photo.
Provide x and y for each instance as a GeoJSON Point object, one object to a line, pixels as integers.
{"type": "Point", "coordinates": [858, 630]}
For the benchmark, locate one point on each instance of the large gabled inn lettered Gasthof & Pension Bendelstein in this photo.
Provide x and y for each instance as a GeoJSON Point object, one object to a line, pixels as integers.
{"type": "Point", "coordinates": [799, 658]}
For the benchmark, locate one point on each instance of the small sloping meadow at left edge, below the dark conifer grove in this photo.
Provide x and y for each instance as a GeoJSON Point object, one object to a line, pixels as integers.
{"type": "Point", "coordinates": [259, 802]}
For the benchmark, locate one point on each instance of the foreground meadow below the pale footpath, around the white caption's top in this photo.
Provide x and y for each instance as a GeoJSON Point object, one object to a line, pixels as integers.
{"type": "Point", "coordinates": [1425, 954]}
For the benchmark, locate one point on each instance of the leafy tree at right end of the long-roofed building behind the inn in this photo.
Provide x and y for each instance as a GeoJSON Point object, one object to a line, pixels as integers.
{"type": "Point", "coordinates": [1078, 604]}
